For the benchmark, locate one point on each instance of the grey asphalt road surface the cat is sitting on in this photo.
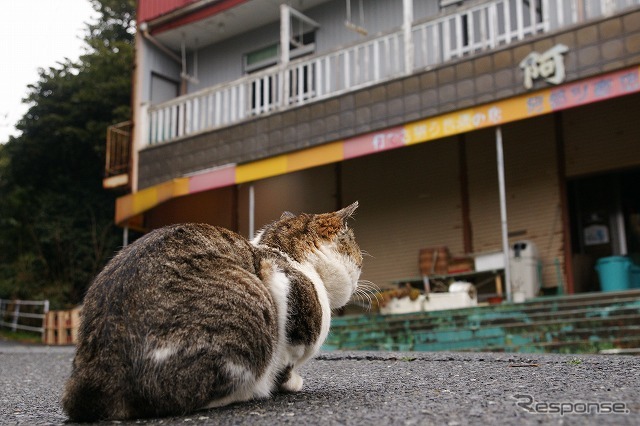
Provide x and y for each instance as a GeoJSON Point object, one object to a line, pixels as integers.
{"type": "Point", "coordinates": [377, 388]}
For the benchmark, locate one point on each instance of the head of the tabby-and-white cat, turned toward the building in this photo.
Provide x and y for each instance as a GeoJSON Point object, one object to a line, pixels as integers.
{"type": "Point", "coordinates": [324, 241]}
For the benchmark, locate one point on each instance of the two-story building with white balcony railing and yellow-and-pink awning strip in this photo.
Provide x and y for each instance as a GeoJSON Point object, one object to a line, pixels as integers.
{"type": "Point", "coordinates": [465, 124]}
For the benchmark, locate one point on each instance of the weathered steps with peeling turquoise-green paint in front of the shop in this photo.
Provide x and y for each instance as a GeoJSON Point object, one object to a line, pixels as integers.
{"type": "Point", "coordinates": [584, 323]}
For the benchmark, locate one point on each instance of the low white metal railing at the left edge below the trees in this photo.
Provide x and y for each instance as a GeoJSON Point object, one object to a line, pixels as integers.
{"type": "Point", "coordinates": [26, 315]}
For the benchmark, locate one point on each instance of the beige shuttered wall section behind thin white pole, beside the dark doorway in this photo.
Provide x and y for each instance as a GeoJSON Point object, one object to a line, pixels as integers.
{"type": "Point", "coordinates": [532, 190]}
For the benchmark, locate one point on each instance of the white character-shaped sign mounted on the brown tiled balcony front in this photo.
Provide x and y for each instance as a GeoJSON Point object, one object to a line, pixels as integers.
{"type": "Point", "coordinates": [548, 66]}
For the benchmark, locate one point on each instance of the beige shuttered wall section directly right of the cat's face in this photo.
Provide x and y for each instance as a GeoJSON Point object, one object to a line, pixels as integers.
{"type": "Point", "coordinates": [409, 199]}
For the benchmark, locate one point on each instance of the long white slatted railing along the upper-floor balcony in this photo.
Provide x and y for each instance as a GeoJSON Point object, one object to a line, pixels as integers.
{"type": "Point", "coordinates": [478, 28]}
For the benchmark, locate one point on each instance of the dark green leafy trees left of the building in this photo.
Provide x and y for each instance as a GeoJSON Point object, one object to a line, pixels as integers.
{"type": "Point", "coordinates": [56, 221]}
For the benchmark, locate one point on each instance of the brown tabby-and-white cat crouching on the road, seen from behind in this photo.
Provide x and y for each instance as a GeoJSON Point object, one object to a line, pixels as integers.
{"type": "Point", "coordinates": [195, 316]}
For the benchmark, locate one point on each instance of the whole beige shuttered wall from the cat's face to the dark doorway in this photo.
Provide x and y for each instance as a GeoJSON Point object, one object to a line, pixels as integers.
{"type": "Point", "coordinates": [411, 199]}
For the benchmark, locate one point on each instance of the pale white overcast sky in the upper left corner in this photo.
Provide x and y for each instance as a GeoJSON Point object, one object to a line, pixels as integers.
{"type": "Point", "coordinates": [35, 34]}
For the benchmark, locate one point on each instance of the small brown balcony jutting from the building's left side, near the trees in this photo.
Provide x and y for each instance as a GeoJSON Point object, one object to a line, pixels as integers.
{"type": "Point", "coordinates": [118, 154]}
